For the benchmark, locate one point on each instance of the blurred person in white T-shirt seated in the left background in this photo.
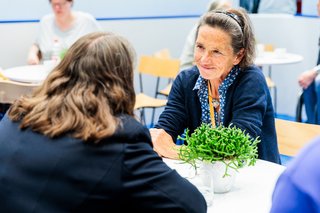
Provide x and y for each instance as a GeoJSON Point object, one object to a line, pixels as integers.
{"type": "Point", "coordinates": [60, 28]}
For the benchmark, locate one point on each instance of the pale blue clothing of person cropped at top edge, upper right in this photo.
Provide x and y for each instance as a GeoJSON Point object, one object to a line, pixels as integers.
{"type": "Point", "coordinates": [278, 6]}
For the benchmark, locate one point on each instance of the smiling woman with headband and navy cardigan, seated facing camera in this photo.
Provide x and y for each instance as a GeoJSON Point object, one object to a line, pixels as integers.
{"type": "Point", "coordinates": [223, 88]}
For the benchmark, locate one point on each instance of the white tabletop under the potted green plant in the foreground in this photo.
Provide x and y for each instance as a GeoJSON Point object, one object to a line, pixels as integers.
{"type": "Point", "coordinates": [251, 193]}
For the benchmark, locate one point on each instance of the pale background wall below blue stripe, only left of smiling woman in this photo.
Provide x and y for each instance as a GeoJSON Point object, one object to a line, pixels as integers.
{"type": "Point", "coordinates": [147, 36]}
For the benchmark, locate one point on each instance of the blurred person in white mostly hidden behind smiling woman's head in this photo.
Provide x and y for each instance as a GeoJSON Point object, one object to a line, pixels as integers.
{"type": "Point", "coordinates": [187, 57]}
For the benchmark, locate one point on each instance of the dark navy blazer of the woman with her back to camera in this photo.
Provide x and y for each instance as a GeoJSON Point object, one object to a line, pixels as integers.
{"type": "Point", "coordinates": [39, 174]}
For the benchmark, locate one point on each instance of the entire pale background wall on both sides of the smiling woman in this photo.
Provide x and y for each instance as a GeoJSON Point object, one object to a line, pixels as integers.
{"type": "Point", "coordinates": [297, 34]}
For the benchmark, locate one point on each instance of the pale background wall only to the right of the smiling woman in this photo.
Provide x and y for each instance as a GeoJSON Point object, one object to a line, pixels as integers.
{"type": "Point", "coordinates": [298, 35]}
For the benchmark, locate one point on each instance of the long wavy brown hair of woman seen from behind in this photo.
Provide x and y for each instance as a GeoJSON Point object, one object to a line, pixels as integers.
{"type": "Point", "coordinates": [84, 95]}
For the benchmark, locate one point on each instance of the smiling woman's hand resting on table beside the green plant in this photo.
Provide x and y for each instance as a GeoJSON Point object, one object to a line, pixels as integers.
{"type": "Point", "coordinates": [163, 144]}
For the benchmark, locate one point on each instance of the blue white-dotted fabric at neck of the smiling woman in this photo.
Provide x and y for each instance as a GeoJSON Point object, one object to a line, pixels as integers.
{"type": "Point", "coordinates": [201, 86]}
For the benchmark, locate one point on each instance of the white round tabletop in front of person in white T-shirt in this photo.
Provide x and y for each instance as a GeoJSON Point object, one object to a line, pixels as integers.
{"type": "Point", "coordinates": [28, 74]}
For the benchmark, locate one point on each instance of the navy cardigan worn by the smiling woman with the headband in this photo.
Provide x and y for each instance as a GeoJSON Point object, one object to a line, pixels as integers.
{"type": "Point", "coordinates": [248, 106]}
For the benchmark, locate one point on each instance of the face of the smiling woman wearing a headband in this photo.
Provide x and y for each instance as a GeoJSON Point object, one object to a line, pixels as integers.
{"type": "Point", "coordinates": [213, 53]}
